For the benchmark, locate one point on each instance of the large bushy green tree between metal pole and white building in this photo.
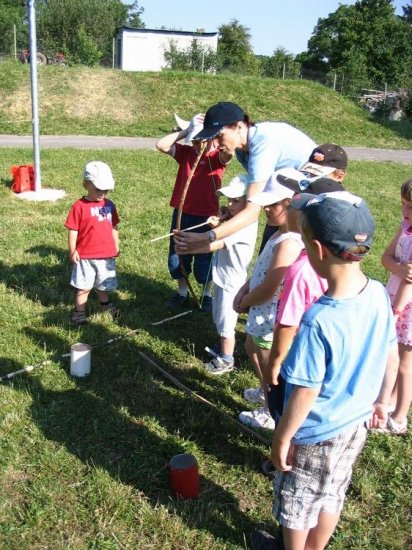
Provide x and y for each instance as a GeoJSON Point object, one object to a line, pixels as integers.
{"type": "Point", "coordinates": [82, 29]}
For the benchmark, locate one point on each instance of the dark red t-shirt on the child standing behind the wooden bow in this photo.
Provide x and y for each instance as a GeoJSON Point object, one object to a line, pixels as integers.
{"type": "Point", "coordinates": [201, 199]}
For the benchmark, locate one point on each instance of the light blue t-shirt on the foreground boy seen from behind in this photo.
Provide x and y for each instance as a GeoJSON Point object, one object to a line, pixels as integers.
{"type": "Point", "coordinates": [341, 348]}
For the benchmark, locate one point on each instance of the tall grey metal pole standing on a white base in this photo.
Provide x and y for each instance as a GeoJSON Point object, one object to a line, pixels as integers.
{"type": "Point", "coordinates": [34, 93]}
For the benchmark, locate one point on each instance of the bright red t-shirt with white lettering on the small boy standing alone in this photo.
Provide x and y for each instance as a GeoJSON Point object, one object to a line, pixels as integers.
{"type": "Point", "coordinates": [94, 222]}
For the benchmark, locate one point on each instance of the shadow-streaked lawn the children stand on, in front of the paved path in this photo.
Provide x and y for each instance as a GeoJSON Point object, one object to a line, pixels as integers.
{"type": "Point", "coordinates": [83, 462]}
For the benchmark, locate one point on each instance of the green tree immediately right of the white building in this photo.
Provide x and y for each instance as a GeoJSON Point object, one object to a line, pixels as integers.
{"type": "Point", "coordinates": [234, 51]}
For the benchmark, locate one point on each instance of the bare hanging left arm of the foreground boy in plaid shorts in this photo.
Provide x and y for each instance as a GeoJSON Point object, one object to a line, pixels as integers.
{"type": "Point", "coordinates": [297, 409]}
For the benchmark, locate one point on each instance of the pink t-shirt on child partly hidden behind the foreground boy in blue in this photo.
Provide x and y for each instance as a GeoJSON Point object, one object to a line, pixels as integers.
{"type": "Point", "coordinates": [301, 287]}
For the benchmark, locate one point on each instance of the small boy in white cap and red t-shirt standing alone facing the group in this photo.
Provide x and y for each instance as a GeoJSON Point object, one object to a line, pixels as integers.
{"type": "Point", "coordinates": [93, 241]}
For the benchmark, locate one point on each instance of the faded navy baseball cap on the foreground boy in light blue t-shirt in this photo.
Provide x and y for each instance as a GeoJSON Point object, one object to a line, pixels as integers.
{"type": "Point", "coordinates": [338, 220]}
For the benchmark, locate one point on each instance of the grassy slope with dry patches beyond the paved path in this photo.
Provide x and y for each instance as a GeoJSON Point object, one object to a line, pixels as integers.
{"type": "Point", "coordinates": [80, 100]}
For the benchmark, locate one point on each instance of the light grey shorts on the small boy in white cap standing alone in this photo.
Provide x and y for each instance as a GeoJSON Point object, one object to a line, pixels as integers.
{"type": "Point", "coordinates": [99, 274]}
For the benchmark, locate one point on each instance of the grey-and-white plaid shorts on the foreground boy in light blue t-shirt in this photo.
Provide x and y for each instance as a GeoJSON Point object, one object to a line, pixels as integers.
{"type": "Point", "coordinates": [318, 480]}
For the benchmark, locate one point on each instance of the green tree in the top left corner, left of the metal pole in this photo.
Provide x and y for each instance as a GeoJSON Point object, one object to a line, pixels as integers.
{"type": "Point", "coordinates": [12, 12]}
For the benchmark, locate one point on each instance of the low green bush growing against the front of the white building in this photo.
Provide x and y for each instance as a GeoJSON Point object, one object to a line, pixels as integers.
{"type": "Point", "coordinates": [195, 58]}
